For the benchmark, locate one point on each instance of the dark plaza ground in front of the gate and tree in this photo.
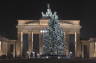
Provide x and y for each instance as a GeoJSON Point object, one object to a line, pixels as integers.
{"type": "Point", "coordinates": [50, 60]}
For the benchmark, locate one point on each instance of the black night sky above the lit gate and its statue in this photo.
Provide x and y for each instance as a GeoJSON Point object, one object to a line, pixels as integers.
{"type": "Point", "coordinates": [10, 11]}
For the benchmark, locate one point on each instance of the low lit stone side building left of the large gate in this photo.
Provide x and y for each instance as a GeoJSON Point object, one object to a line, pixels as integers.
{"type": "Point", "coordinates": [7, 47]}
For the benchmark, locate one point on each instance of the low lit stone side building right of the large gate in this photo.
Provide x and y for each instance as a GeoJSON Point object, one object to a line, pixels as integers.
{"type": "Point", "coordinates": [88, 48]}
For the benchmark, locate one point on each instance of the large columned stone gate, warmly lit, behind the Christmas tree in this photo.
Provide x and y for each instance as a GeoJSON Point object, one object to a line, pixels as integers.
{"type": "Point", "coordinates": [30, 33]}
